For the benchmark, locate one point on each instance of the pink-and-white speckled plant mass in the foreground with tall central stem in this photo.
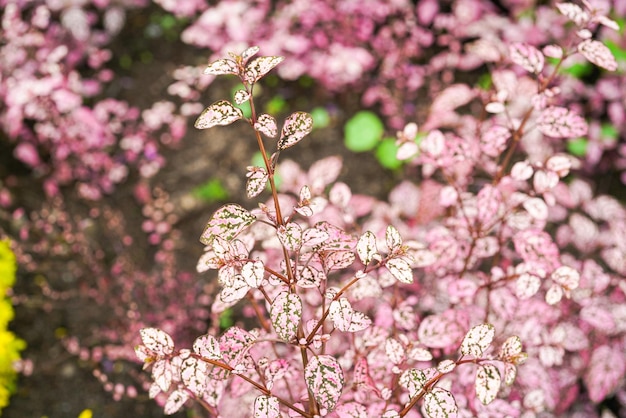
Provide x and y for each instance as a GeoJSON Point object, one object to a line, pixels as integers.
{"type": "Point", "coordinates": [495, 287]}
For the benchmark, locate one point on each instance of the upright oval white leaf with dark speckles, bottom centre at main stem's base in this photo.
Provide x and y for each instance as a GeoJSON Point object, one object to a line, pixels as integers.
{"type": "Point", "coordinates": [324, 378]}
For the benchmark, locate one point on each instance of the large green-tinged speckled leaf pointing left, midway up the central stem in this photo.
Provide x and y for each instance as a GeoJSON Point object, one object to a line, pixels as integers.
{"type": "Point", "coordinates": [226, 222]}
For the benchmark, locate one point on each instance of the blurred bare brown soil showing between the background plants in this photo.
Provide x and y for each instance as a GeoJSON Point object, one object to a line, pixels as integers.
{"type": "Point", "coordinates": [61, 385]}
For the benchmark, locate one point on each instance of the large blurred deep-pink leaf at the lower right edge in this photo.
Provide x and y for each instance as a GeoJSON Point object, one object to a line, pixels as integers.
{"type": "Point", "coordinates": [605, 373]}
